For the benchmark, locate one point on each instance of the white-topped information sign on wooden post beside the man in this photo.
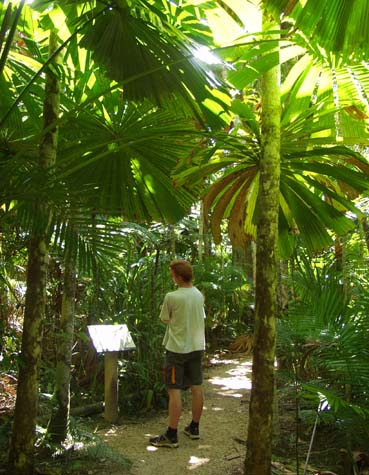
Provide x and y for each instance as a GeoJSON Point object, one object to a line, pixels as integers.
{"type": "Point", "coordinates": [110, 340]}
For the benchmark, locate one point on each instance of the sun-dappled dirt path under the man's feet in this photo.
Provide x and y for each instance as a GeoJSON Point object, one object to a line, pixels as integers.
{"type": "Point", "coordinates": [219, 451]}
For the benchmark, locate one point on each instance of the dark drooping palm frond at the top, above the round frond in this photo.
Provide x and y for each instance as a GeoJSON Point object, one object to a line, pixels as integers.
{"type": "Point", "coordinates": [149, 57]}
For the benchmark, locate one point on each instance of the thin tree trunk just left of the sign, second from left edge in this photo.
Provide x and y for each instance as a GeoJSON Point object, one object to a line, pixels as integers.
{"type": "Point", "coordinates": [59, 421]}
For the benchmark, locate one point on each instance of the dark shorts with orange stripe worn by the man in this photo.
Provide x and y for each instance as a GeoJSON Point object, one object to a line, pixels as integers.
{"type": "Point", "coordinates": [183, 370]}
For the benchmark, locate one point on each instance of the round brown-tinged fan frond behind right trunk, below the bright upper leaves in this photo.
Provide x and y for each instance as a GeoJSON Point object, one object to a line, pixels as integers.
{"type": "Point", "coordinates": [316, 189]}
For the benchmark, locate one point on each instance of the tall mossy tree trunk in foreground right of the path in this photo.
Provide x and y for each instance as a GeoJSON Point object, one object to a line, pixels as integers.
{"type": "Point", "coordinates": [260, 429]}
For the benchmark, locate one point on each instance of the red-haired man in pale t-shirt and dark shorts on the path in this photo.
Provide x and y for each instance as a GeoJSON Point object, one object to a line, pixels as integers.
{"type": "Point", "coordinates": [184, 341]}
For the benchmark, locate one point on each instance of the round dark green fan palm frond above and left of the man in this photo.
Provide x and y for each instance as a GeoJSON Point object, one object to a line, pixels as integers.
{"type": "Point", "coordinates": [121, 160]}
